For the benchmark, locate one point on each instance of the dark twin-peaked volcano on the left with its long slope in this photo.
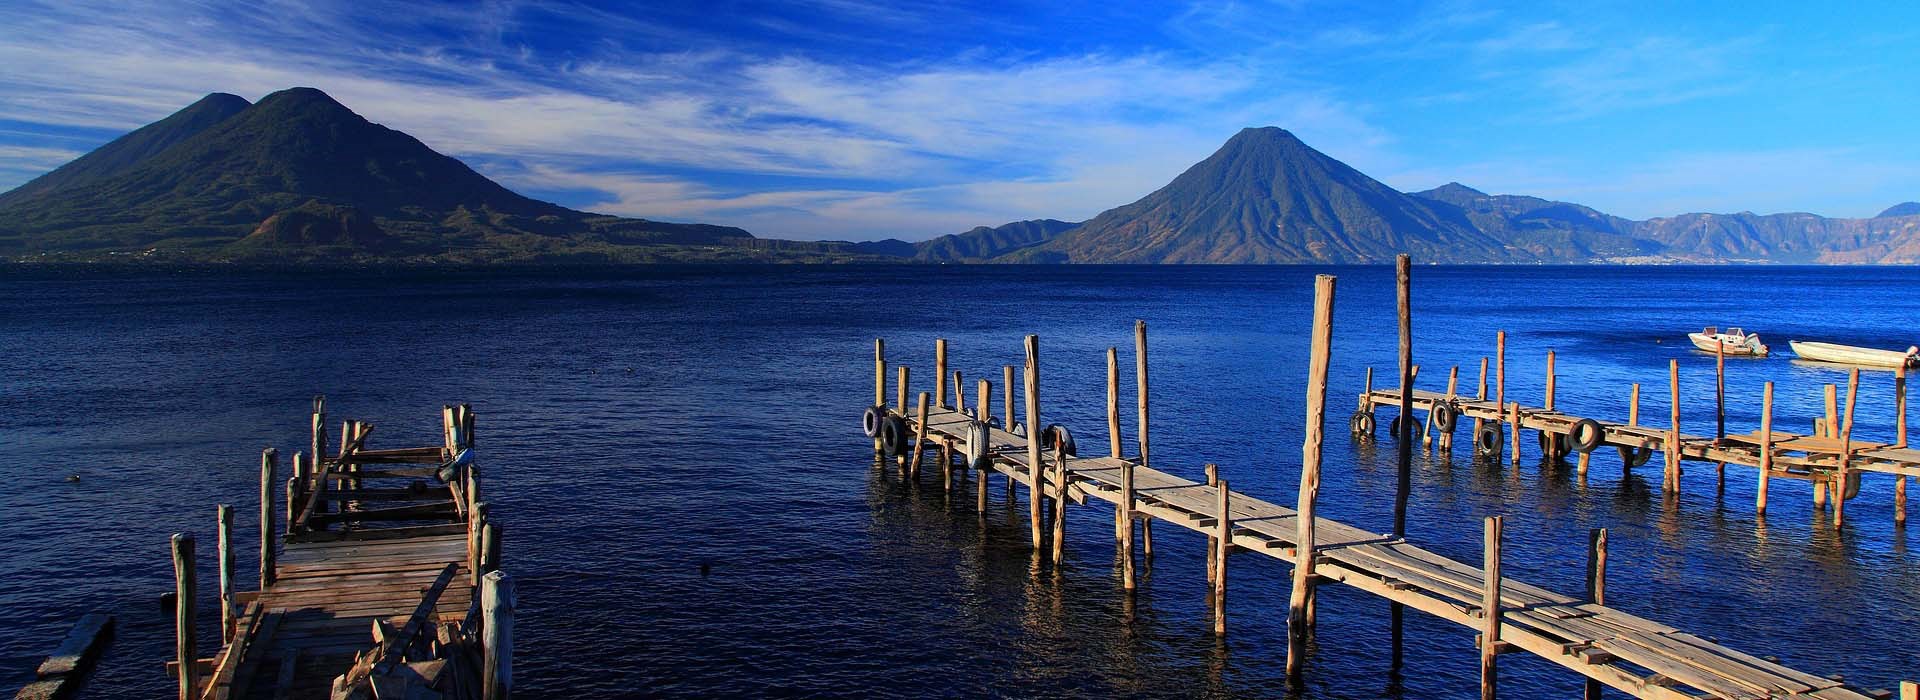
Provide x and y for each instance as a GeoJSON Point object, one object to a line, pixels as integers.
{"type": "Point", "coordinates": [300, 177]}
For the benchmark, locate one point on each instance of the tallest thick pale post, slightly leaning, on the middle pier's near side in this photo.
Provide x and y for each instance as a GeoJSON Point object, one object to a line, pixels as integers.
{"type": "Point", "coordinates": [1310, 461]}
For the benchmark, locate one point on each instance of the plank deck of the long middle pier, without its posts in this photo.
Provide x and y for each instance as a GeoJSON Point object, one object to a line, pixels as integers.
{"type": "Point", "coordinates": [1627, 653]}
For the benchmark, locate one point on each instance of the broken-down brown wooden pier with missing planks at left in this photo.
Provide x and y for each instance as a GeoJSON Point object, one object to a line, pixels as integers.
{"type": "Point", "coordinates": [383, 584]}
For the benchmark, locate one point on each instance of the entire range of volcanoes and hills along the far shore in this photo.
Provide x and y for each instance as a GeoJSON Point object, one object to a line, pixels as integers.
{"type": "Point", "coordinates": [300, 177]}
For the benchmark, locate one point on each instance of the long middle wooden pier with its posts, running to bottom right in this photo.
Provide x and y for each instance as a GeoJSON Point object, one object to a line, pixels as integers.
{"type": "Point", "coordinates": [1581, 634]}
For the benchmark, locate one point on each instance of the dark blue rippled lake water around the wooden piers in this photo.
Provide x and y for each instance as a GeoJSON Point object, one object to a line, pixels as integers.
{"type": "Point", "coordinates": [636, 425]}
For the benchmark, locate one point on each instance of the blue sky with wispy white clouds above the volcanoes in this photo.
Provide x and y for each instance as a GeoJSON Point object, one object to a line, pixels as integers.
{"type": "Point", "coordinates": [861, 120]}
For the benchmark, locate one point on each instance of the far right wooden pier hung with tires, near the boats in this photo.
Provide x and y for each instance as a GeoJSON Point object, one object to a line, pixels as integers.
{"type": "Point", "coordinates": [1833, 457]}
